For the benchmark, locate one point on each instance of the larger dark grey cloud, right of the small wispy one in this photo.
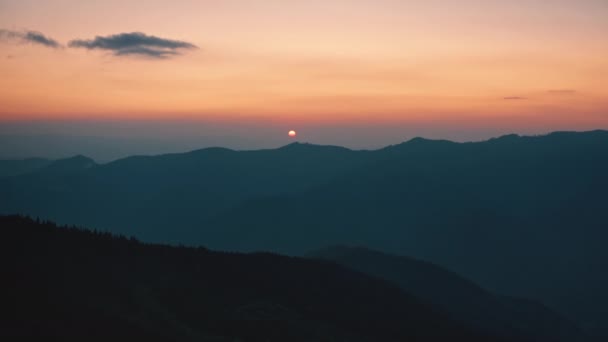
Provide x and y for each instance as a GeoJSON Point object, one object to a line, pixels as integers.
{"type": "Point", "coordinates": [135, 44]}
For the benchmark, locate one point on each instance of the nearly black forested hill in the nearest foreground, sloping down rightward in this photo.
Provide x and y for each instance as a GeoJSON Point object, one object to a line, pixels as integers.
{"type": "Point", "coordinates": [79, 285]}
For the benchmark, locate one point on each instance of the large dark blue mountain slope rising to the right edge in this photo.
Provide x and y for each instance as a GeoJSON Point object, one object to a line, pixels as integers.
{"type": "Point", "coordinates": [523, 216]}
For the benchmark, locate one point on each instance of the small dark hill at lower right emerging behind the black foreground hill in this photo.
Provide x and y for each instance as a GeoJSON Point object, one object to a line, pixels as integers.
{"type": "Point", "coordinates": [518, 319]}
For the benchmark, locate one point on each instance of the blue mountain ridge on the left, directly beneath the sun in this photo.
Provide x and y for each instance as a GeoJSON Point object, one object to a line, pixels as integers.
{"type": "Point", "coordinates": [152, 191]}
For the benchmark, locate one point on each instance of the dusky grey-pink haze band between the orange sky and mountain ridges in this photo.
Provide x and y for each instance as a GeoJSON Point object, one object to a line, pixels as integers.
{"type": "Point", "coordinates": [109, 140]}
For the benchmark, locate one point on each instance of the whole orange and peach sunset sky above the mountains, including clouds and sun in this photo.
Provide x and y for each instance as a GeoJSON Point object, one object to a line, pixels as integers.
{"type": "Point", "coordinates": [361, 73]}
